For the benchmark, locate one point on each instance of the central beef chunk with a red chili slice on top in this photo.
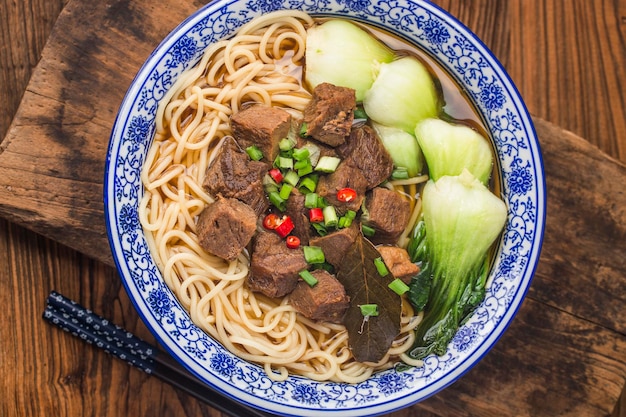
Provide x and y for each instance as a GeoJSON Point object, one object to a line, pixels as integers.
{"type": "Point", "coordinates": [345, 176]}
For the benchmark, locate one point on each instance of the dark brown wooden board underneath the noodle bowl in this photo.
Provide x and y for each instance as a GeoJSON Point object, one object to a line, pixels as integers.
{"type": "Point", "coordinates": [51, 175]}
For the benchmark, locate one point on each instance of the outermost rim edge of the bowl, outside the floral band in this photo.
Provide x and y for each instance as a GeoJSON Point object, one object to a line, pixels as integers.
{"type": "Point", "coordinates": [385, 406]}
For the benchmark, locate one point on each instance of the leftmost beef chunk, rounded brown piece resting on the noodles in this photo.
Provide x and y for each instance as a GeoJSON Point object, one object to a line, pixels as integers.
{"type": "Point", "coordinates": [225, 227]}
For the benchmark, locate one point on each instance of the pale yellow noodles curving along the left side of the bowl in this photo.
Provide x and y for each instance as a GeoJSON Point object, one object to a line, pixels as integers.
{"type": "Point", "coordinates": [257, 65]}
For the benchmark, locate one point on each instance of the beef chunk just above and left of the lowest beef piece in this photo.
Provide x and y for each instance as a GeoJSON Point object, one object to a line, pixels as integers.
{"type": "Point", "coordinates": [273, 266]}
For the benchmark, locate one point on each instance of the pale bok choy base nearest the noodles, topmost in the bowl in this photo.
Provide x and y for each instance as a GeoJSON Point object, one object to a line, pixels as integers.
{"type": "Point", "coordinates": [341, 53]}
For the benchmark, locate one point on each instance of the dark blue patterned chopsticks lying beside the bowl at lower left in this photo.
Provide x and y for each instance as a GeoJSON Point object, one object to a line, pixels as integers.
{"type": "Point", "coordinates": [96, 330]}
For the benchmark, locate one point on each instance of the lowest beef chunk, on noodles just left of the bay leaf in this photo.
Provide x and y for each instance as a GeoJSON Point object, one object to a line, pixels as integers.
{"type": "Point", "coordinates": [326, 301]}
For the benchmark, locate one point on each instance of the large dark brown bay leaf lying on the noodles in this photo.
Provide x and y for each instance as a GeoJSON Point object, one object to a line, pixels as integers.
{"type": "Point", "coordinates": [369, 339]}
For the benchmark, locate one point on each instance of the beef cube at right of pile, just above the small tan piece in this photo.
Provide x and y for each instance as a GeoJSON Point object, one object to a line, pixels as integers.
{"type": "Point", "coordinates": [388, 213]}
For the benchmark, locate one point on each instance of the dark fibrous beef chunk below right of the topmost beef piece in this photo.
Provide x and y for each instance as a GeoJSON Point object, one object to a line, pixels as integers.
{"type": "Point", "coordinates": [365, 151]}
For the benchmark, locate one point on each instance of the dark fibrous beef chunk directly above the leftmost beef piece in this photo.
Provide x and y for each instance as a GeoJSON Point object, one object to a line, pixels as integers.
{"type": "Point", "coordinates": [232, 174]}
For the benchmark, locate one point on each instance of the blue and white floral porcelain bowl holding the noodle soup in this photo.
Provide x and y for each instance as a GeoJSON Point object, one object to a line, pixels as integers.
{"type": "Point", "coordinates": [518, 156]}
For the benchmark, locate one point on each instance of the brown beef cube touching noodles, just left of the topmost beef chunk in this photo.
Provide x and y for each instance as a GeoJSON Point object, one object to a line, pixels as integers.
{"type": "Point", "coordinates": [261, 126]}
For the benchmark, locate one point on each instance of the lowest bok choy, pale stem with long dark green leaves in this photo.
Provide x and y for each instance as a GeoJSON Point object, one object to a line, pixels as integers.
{"type": "Point", "coordinates": [461, 220]}
